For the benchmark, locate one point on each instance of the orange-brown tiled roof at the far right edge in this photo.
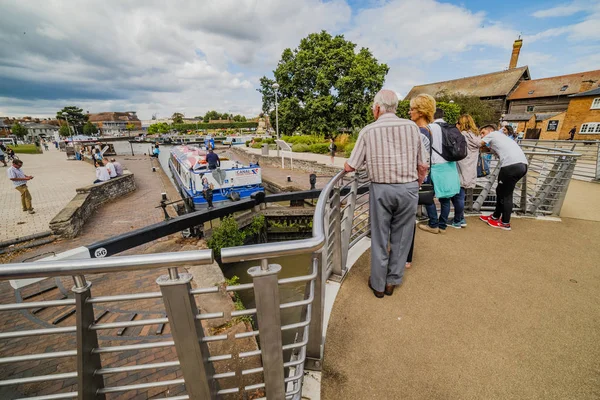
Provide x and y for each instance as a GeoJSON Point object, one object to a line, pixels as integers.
{"type": "Point", "coordinates": [547, 87]}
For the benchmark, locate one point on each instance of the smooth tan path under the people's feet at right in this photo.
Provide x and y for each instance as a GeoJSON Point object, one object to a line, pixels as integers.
{"type": "Point", "coordinates": [483, 314]}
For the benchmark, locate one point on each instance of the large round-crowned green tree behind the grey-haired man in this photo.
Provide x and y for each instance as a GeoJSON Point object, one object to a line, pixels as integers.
{"type": "Point", "coordinates": [325, 77]}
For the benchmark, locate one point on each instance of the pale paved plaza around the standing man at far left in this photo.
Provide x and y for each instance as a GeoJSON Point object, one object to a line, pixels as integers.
{"type": "Point", "coordinates": [53, 186]}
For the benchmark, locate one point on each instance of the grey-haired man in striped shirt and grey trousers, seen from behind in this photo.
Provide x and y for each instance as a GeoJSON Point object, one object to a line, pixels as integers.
{"type": "Point", "coordinates": [397, 164]}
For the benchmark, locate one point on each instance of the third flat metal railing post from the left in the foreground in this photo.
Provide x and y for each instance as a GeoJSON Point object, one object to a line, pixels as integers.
{"type": "Point", "coordinates": [266, 295]}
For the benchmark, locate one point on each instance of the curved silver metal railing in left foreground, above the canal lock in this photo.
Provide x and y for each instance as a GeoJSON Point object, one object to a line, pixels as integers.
{"type": "Point", "coordinates": [89, 363]}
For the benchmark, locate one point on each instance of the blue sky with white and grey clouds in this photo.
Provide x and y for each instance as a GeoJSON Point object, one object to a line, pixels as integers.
{"type": "Point", "coordinates": [191, 56]}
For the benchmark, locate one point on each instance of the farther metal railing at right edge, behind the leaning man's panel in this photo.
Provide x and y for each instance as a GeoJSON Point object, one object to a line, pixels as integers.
{"type": "Point", "coordinates": [588, 164]}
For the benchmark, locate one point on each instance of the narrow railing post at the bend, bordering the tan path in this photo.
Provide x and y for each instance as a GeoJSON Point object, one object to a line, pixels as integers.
{"type": "Point", "coordinates": [314, 348]}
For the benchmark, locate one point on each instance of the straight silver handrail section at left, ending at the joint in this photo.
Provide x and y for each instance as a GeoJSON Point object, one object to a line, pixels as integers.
{"type": "Point", "coordinates": [41, 269]}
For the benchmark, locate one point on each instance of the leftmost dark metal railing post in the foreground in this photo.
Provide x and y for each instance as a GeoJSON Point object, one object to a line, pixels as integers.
{"type": "Point", "coordinates": [88, 382]}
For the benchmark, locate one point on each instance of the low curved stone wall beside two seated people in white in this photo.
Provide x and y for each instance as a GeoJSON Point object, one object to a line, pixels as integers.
{"type": "Point", "coordinates": [69, 221]}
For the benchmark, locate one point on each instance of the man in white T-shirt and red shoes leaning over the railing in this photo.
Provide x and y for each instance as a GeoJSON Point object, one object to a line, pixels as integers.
{"type": "Point", "coordinates": [513, 167]}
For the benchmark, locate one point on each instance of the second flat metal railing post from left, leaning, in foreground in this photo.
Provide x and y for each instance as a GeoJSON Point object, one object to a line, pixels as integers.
{"type": "Point", "coordinates": [187, 333]}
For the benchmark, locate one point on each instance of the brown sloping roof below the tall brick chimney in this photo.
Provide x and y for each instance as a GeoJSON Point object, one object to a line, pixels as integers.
{"type": "Point", "coordinates": [487, 85]}
